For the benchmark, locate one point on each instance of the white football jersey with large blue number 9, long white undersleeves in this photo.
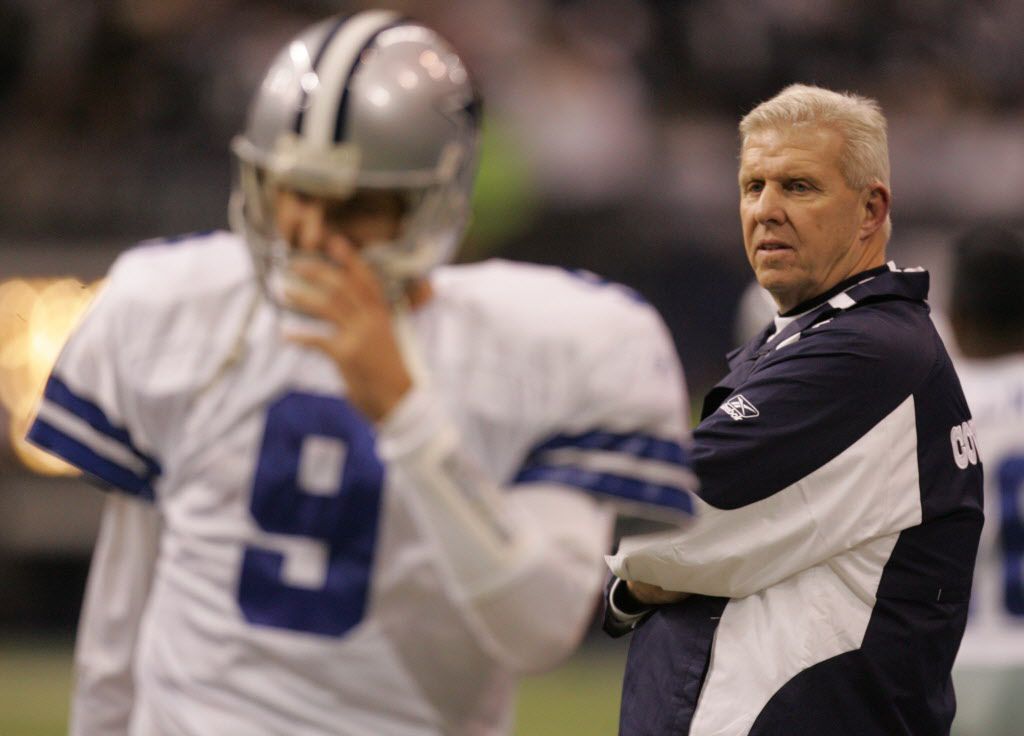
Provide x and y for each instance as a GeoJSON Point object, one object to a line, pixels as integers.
{"type": "Point", "coordinates": [304, 582]}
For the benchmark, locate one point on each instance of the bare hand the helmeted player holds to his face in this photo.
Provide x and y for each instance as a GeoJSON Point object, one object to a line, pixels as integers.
{"type": "Point", "coordinates": [346, 293]}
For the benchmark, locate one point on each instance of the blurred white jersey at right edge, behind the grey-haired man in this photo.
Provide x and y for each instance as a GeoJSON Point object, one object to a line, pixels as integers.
{"type": "Point", "coordinates": [995, 391]}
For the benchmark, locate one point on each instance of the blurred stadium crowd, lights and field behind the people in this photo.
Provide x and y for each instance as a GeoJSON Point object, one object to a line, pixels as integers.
{"type": "Point", "coordinates": [611, 146]}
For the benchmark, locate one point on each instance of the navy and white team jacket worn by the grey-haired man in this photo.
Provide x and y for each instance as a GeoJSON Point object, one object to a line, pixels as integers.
{"type": "Point", "coordinates": [839, 523]}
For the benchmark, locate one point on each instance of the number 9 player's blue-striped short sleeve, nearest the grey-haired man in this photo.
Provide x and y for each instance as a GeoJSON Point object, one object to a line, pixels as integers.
{"type": "Point", "coordinates": [625, 441]}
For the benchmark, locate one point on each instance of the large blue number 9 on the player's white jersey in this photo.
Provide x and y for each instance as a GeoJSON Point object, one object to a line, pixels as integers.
{"type": "Point", "coordinates": [318, 485]}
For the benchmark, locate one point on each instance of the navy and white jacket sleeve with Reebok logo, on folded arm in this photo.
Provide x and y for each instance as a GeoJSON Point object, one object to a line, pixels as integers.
{"type": "Point", "coordinates": [819, 457]}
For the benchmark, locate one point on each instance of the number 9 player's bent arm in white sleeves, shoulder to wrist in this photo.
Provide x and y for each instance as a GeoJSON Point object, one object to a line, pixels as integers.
{"type": "Point", "coordinates": [523, 560]}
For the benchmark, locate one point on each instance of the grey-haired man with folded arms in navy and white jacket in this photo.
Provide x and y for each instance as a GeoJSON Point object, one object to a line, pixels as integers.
{"type": "Point", "coordinates": [824, 586]}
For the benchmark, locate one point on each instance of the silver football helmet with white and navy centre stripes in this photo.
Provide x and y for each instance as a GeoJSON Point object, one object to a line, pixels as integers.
{"type": "Point", "coordinates": [370, 102]}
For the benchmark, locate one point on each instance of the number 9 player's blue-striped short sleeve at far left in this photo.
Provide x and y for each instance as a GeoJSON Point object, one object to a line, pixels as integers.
{"type": "Point", "coordinates": [84, 416]}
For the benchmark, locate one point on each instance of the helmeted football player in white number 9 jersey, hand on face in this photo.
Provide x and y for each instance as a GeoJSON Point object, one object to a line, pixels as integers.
{"type": "Point", "coordinates": [355, 491]}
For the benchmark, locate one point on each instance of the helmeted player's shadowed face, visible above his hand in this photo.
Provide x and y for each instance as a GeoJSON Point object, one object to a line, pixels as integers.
{"type": "Point", "coordinates": [307, 223]}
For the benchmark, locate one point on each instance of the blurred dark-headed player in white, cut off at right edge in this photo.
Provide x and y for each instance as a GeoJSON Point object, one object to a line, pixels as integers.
{"type": "Point", "coordinates": [987, 314]}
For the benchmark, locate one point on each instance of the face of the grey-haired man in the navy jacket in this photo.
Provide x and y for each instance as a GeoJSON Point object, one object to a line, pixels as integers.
{"type": "Point", "coordinates": [801, 221]}
